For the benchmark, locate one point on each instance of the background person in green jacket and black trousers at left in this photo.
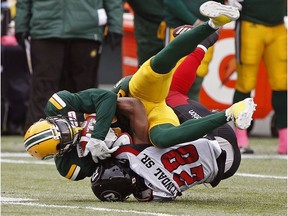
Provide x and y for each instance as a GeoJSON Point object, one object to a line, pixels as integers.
{"type": "Point", "coordinates": [66, 38]}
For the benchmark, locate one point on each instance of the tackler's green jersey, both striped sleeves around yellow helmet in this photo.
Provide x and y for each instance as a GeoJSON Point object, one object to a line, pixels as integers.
{"type": "Point", "coordinates": [72, 164]}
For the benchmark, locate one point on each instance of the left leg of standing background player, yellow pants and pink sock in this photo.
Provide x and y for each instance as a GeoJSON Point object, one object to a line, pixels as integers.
{"type": "Point", "coordinates": [249, 49]}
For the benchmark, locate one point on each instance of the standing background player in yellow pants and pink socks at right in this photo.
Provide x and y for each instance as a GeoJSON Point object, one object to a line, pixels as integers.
{"type": "Point", "coordinates": [261, 35]}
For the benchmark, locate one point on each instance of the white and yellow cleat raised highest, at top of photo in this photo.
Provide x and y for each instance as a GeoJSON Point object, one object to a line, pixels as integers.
{"type": "Point", "coordinates": [219, 14]}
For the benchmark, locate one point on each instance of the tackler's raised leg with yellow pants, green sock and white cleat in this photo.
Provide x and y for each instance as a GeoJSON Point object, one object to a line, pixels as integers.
{"type": "Point", "coordinates": [152, 81]}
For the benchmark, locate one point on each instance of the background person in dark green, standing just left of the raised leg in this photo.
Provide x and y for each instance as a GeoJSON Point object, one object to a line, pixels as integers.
{"type": "Point", "coordinates": [148, 17]}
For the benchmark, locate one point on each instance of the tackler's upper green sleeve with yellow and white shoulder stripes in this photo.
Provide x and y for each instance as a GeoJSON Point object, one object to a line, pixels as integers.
{"type": "Point", "coordinates": [75, 105]}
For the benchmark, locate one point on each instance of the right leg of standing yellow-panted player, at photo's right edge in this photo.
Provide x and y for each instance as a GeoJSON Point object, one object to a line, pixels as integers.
{"type": "Point", "coordinates": [275, 58]}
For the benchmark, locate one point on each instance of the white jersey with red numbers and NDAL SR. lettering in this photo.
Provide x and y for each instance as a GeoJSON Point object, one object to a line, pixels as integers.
{"type": "Point", "coordinates": [172, 170]}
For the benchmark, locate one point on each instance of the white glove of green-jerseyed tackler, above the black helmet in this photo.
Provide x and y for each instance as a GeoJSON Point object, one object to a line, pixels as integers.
{"type": "Point", "coordinates": [98, 149]}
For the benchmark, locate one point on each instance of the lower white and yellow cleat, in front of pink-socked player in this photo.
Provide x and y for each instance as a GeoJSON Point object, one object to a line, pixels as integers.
{"type": "Point", "coordinates": [241, 113]}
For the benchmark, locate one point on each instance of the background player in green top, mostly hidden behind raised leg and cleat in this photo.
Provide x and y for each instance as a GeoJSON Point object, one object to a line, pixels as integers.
{"type": "Point", "coordinates": [183, 12]}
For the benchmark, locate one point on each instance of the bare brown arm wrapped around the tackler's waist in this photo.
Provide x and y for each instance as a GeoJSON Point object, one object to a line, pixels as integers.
{"type": "Point", "coordinates": [134, 110]}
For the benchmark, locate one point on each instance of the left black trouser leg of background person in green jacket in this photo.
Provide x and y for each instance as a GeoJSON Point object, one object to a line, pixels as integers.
{"type": "Point", "coordinates": [46, 56]}
